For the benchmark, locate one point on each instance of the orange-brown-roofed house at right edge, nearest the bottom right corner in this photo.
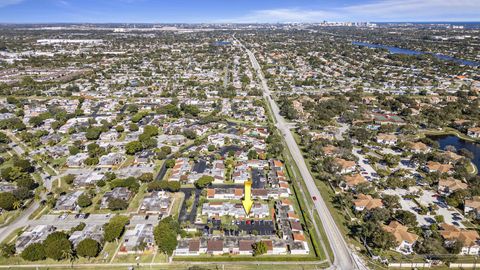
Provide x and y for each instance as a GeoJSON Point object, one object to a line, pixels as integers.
{"type": "Point", "coordinates": [469, 238]}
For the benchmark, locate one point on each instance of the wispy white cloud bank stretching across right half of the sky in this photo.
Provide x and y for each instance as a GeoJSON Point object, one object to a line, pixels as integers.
{"type": "Point", "coordinates": [381, 10]}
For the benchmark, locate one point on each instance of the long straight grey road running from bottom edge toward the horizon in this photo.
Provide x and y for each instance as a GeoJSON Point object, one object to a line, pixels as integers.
{"type": "Point", "coordinates": [344, 257]}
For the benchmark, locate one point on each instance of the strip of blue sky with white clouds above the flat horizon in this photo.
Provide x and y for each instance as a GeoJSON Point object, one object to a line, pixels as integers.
{"type": "Point", "coordinates": [237, 11]}
